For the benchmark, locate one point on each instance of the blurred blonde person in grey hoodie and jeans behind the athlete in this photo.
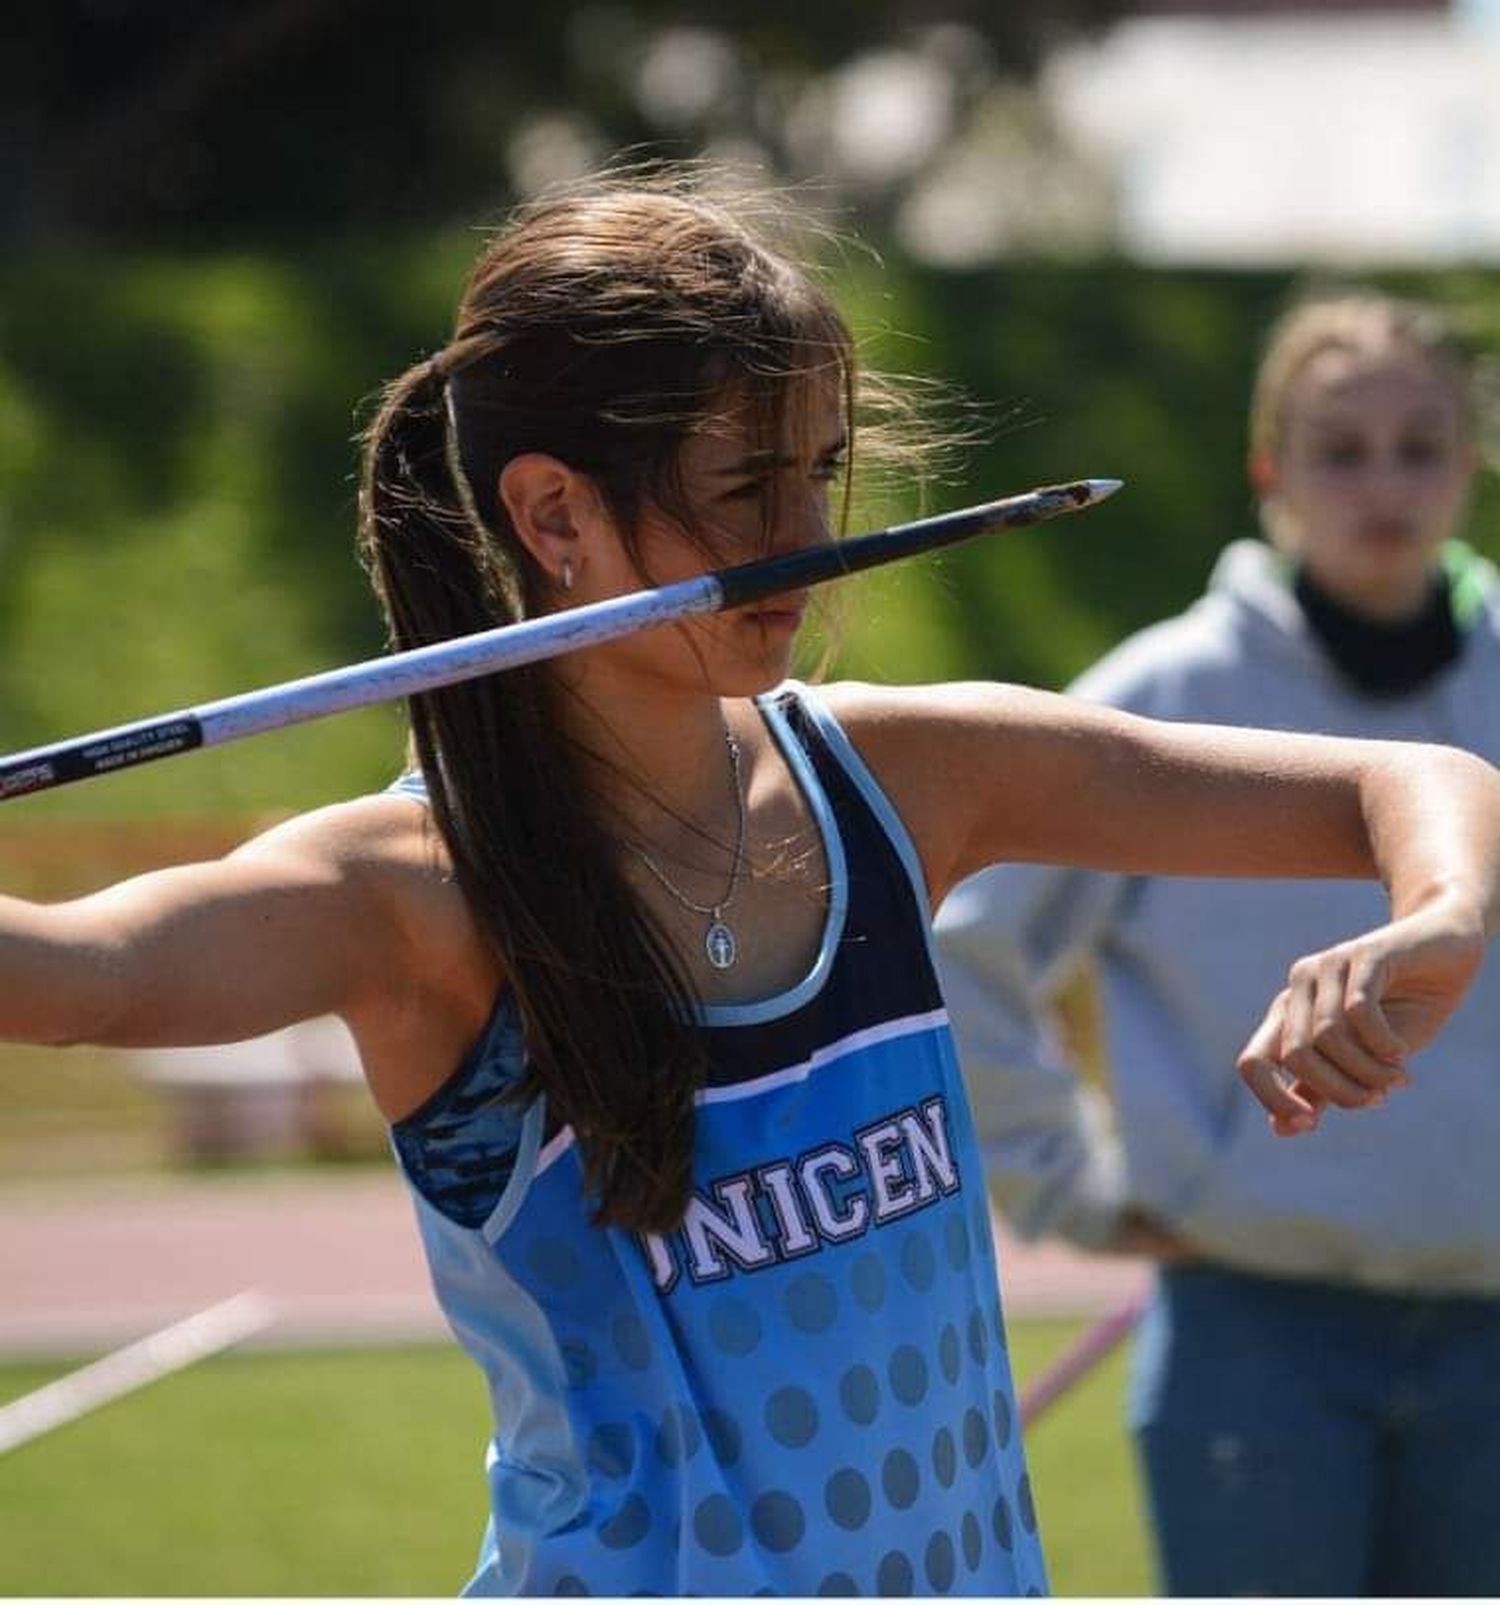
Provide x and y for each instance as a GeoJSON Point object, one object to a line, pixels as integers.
{"type": "Point", "coordinates": [1316, 1388]}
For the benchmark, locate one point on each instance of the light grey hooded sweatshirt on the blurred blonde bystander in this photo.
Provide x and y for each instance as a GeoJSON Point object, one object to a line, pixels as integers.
{"type": "Point", "coordinates": [1403, 1198]}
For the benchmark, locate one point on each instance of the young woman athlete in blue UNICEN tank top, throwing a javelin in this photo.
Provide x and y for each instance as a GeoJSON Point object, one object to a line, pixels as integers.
{"type": "Point", "coordinates": [638, 956]}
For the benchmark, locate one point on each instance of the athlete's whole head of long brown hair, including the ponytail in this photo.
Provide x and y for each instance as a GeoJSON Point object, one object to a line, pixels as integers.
{"type": "Point", "coordinates": [601, 327]}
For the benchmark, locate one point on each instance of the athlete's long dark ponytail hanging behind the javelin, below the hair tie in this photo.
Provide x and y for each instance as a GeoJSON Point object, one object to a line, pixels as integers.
{"type": "Point", "coordinates": [607, 1015]}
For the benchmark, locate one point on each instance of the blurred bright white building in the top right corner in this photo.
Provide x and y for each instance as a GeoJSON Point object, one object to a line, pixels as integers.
{"type": "Point", "coordinates": [1239, 132]}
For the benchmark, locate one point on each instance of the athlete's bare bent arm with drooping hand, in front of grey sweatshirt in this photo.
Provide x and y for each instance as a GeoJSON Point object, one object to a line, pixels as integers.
{"type": "Point", "coordinates": [986, 774]}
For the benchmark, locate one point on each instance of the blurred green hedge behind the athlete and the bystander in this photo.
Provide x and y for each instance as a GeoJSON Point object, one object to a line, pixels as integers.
{"type": "Point", "coordinates": [179, 500]}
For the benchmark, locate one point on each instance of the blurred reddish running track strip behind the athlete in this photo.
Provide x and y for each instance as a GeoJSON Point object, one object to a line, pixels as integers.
{"type": "Point", "coordinates": [87, 1269]}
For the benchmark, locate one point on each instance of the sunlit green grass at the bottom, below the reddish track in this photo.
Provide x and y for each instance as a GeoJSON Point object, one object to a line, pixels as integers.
{"type": "Point", "coordinates": [360, 1473]}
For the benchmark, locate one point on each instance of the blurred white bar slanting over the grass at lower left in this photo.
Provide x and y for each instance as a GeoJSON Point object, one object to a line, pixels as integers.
{"type": "Point", "coordinates": [134, 1367]}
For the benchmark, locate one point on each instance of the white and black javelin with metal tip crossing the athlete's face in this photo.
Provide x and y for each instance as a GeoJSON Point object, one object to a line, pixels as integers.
{"type": "Point", "coordinates": [511, 646]}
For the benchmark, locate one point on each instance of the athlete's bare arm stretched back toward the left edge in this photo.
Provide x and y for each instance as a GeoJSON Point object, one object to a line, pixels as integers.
{"type": "Point", "coordinates": [343, 912]}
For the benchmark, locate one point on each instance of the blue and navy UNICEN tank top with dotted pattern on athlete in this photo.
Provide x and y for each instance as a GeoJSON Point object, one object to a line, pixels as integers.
{"type": "Point", "coordinates": [805, 1389]}
